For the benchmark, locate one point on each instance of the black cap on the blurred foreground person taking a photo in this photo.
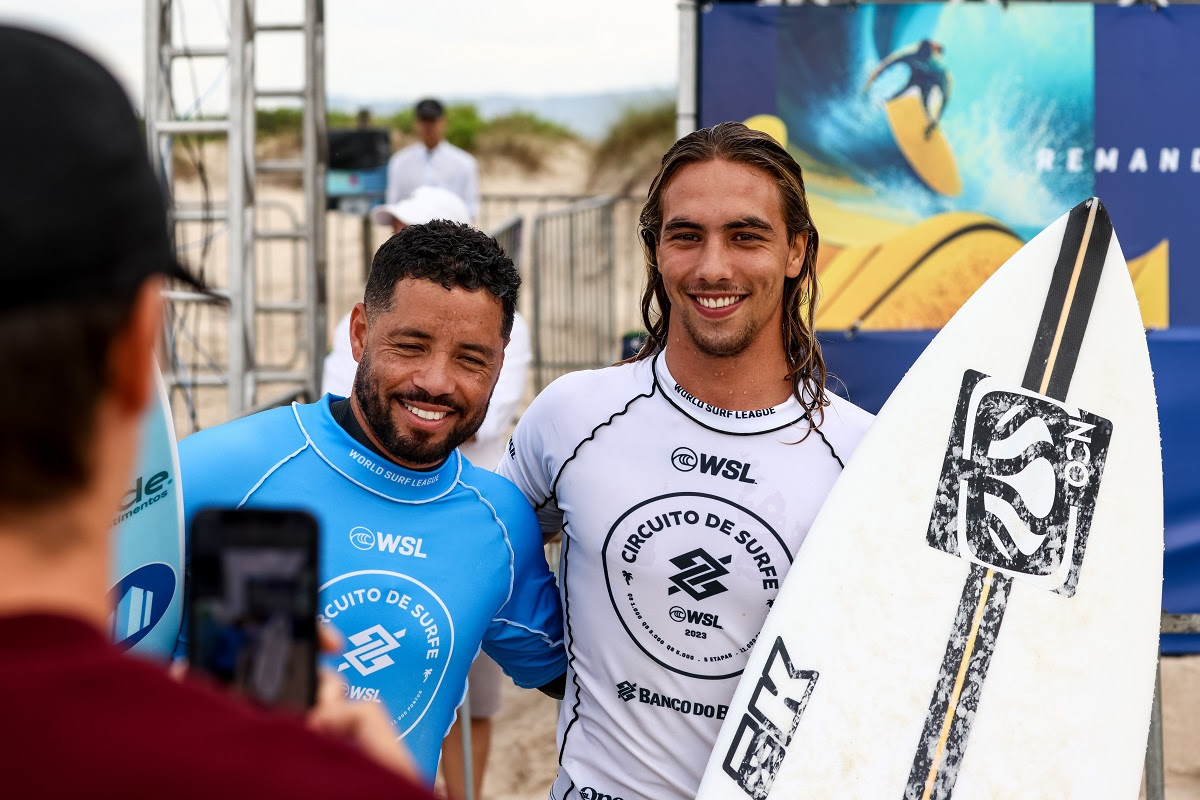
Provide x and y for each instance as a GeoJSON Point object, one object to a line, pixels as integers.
{"type": "Point", "coordinates": [81, 210]}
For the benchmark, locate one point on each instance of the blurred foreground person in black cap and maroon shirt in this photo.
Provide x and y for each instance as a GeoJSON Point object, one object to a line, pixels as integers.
{"type": "Point", "coordinates": [80, 314]}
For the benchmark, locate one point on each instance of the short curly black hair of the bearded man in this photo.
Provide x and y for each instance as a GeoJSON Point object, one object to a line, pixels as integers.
{"type": "Point", "coordinates": [451, 254]}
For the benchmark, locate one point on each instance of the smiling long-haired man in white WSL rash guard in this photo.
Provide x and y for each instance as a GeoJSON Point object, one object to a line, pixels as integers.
{"type": "Point", "coordinates": [686, 480]}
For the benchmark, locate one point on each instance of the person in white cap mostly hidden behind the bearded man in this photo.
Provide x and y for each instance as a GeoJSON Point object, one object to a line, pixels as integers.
{"type": "Point", "coordinates": [484, 449]}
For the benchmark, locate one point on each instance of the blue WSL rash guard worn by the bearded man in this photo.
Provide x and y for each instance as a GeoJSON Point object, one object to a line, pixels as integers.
{"type": "Point", "coordinates": [418, 569]}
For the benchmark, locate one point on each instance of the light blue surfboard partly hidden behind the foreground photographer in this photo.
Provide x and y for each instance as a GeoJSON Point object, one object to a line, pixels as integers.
{"type": "Point", "coordinates": [148, 543]}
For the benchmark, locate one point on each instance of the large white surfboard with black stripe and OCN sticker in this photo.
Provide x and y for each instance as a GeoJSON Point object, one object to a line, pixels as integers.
{"type": "Point", "coordinates": [975, 612]}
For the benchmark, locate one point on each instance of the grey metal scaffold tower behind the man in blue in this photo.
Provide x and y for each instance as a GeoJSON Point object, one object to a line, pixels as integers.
{"type": "Point", "coordinates": [260, 338]}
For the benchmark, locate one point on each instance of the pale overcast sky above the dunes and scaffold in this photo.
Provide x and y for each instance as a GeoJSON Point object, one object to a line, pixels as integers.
{"type": "Point", "coordinates": [385, 50]}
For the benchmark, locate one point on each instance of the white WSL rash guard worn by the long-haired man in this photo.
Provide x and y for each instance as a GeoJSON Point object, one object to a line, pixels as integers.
{"type": "Point", "coordinates": [680, 522]}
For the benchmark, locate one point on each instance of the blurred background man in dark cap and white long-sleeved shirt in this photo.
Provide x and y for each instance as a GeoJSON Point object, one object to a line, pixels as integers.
{"type": "Point", "coordinates": [434, 163]}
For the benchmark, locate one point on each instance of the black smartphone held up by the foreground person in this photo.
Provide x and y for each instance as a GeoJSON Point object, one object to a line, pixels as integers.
{"type": "Point", "coordinates": [253, 604]}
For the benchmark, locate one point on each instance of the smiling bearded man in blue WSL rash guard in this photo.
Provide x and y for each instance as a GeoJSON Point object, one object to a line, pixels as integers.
{"type": "Point", "coordinates": [424, 558]}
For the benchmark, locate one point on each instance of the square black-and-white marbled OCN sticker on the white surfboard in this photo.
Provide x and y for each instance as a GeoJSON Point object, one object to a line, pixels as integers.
{"type": "Point", "coordinates": [1019, 483]}
